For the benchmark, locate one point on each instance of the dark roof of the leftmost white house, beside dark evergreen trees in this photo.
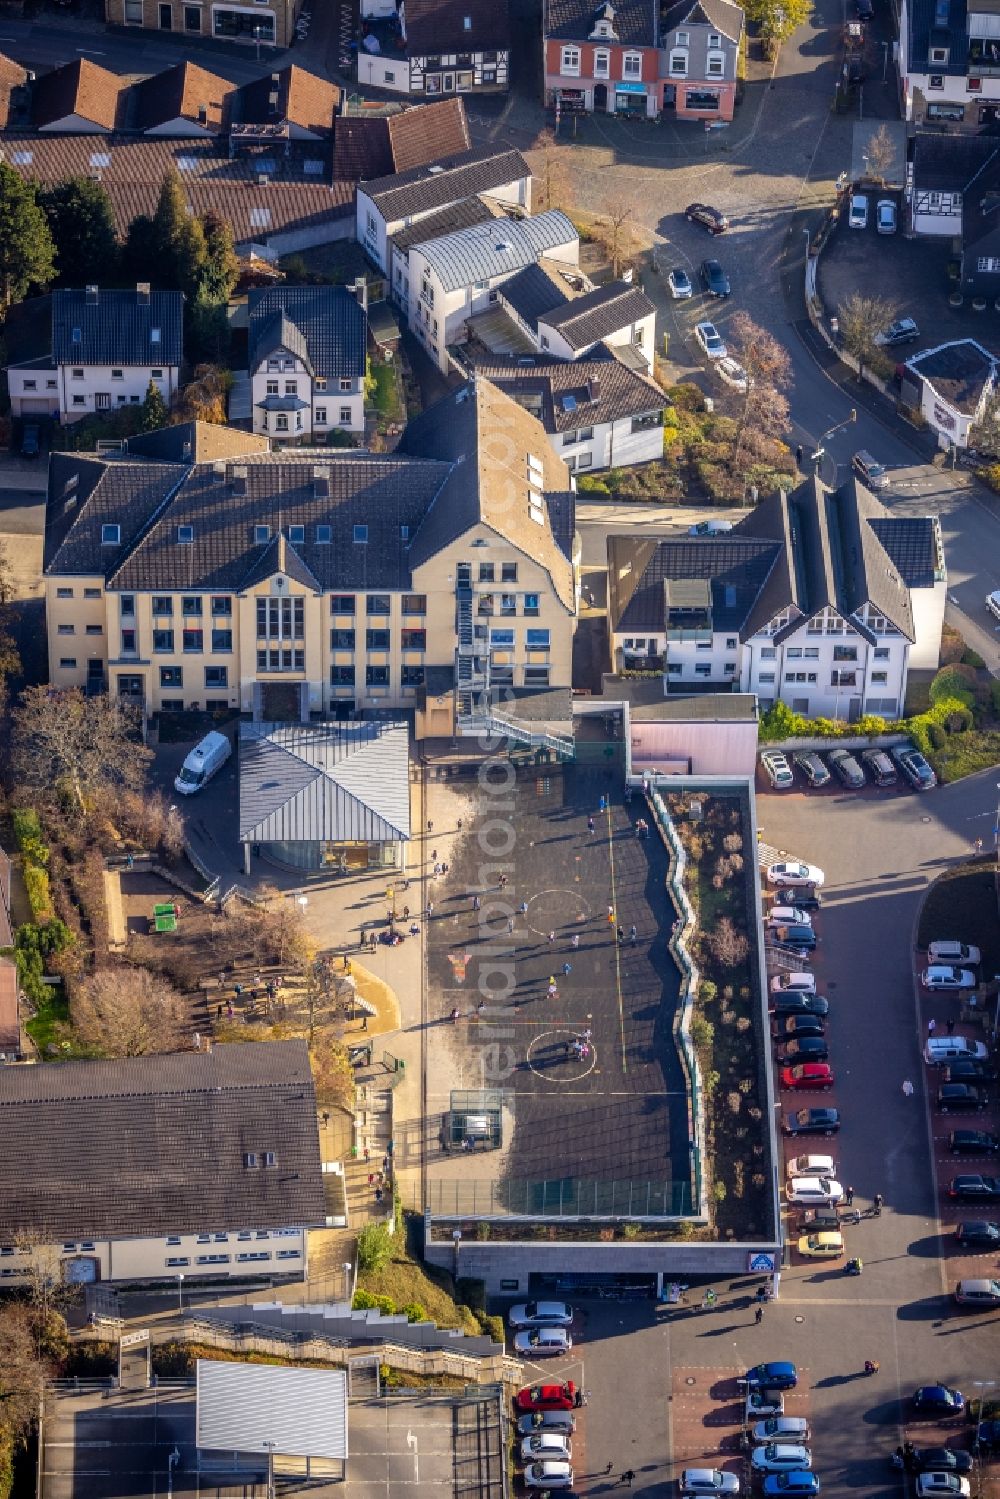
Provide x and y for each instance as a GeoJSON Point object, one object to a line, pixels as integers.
{"type": "Point", "coordinates": [118, 328]}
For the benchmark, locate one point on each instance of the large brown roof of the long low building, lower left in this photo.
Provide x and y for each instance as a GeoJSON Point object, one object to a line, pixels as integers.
{"type": "Point", "coordinates": [127, 1149]}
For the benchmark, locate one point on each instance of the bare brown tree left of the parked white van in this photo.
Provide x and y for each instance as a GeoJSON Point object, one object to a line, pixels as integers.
{"type": "Point", "coordinates": [67, 741]}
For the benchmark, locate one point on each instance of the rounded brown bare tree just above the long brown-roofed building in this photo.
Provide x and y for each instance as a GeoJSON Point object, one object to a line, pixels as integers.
{"type": "Point", "coordinates": [127, 1013]}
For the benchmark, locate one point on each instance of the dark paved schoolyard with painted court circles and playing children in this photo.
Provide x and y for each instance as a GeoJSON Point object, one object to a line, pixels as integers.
{"type": "Point", "coordinates": [596, 1126]}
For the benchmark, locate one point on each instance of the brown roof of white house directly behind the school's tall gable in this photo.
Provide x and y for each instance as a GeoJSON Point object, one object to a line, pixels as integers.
{"type": "Point", "coordinates": [572, 395]}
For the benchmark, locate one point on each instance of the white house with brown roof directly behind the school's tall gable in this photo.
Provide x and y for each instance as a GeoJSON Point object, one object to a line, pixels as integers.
{"type": "Point", "coordinates": [597, 411]}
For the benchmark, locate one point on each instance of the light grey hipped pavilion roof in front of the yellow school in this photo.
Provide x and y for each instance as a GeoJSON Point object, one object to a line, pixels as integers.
{"type": "Point", "coordinates": [332, 783]}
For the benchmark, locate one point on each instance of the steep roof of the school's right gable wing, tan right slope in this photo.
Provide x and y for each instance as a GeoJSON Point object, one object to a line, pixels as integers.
{"type": "Point", "coordinates": [496, 446]}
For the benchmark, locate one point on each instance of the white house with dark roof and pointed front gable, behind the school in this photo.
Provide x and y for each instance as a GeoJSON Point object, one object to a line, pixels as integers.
{"type": "Point", "coordinates": [308, 350]}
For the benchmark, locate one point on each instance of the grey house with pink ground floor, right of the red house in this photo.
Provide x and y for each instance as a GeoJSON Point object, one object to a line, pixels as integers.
{"type": "Point", "coordinates": [701, 59]}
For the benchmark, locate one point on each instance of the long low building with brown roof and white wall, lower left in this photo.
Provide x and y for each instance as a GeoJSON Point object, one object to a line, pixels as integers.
{"type": "Point", "coordinates": [109, 1164]}
